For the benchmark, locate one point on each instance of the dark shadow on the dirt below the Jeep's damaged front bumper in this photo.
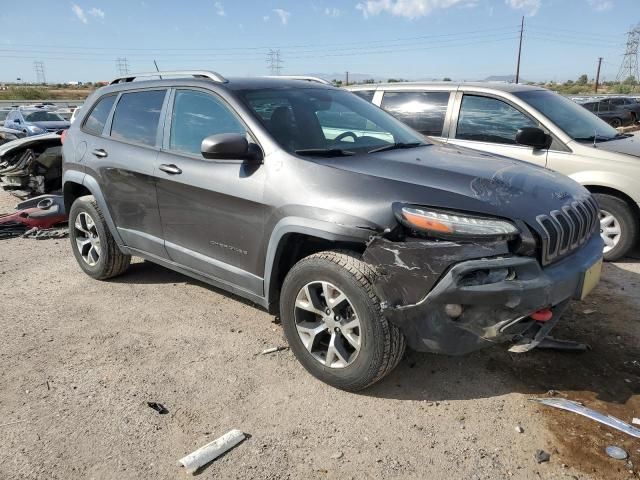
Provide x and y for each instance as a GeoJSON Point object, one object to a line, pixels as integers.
{"type": "Point", "coordinates": [609, 323]}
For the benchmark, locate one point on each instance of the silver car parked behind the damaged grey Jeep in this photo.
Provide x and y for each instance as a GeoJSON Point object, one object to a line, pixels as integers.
{"type": "Point", "coordinates": [535, 125]}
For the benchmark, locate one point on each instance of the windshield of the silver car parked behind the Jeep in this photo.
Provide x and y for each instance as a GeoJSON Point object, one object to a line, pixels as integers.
{"type": "Point", "coordinates": [575, 120]}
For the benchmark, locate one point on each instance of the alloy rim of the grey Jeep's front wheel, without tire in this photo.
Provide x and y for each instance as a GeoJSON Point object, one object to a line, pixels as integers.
{"type": "Point", "coordinates": [327, 324]}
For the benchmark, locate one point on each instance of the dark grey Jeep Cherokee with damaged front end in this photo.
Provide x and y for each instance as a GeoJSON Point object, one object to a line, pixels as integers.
{"type": "Point", "coordinates": [328, 212]}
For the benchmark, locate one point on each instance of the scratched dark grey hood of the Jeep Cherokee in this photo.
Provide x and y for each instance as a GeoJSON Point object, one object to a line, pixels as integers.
{"type": "Point", "coordinates": [457, 178]}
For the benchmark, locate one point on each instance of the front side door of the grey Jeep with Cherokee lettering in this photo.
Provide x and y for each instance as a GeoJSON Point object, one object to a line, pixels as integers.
{"type": "Point", "coordinates": [212, 210]}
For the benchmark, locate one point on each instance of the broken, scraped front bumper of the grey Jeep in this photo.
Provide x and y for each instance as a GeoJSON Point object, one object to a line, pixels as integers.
{"type": "Point", "coordinates": [454, 298]}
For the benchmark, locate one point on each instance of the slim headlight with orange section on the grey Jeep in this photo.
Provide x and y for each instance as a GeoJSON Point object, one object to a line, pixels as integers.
{"type": "Point", "coordinates": [453, 224]}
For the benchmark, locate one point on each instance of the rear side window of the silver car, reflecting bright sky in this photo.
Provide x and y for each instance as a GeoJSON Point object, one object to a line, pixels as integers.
{"type": "Point", "coordinates": [422, 111]}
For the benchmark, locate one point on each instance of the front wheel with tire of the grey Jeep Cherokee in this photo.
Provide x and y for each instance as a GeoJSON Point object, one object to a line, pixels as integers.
{"type": "Point", "coordinates": [334, 323]}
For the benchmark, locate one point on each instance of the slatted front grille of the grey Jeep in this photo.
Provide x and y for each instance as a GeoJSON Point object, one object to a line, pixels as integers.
{"type": "Point", "coordinates": [564, 230]}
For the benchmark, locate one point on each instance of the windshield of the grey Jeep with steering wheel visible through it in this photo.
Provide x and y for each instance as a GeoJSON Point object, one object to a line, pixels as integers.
{"type": "Point", "coordinates": [327, 121]}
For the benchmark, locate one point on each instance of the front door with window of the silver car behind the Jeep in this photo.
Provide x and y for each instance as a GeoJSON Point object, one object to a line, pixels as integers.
{"type": "Point", "coordinates": [490, 124]}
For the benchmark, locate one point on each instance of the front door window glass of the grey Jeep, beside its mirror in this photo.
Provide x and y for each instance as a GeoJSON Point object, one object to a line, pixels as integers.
{"type": "Point", "coordinates": [197, 115]}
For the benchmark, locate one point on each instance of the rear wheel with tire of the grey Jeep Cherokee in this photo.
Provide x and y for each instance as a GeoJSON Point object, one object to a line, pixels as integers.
{"type": "Point", "coordinates": [92, 243]}
